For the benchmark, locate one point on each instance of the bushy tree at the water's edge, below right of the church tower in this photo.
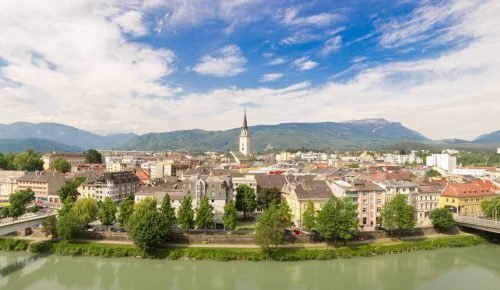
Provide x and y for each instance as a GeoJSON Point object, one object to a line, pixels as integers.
{"type": "Point", "coordinates": [271, 225]}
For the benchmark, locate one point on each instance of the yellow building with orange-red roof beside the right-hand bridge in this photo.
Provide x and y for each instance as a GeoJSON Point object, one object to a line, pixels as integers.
{"type": "Point", "coordinates": [465, 198]}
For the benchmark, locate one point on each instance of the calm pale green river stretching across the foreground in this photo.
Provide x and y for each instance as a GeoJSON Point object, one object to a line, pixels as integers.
{"type": "Point", "coordinates": [475, 268]}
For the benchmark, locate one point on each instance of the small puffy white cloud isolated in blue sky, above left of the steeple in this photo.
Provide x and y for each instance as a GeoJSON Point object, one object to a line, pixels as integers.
{"type": "Point", "coordinates": [227, 62]}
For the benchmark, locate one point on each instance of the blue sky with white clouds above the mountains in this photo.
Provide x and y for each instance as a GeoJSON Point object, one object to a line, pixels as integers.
{"type": "Point", "coordinates": [111, 66]}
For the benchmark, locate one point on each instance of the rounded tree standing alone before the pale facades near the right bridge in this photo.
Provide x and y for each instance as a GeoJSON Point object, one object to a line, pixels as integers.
{"type": "Point", "coordinates": [398, 214]}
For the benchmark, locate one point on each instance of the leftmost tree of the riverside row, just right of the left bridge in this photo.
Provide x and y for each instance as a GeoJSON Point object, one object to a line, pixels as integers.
{"type": "Point", "coordinates": [69, 223]}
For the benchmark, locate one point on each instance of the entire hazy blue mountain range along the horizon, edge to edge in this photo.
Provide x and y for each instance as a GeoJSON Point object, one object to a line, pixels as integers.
{"type": "Point", "coordinates": [355, 134]}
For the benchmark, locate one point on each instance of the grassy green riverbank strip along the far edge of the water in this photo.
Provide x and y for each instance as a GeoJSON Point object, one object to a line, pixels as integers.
{"type": "Point", "coordinates": [231, 254]}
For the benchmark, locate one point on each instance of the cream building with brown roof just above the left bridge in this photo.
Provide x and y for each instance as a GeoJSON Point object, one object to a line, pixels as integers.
{"type": "Point", "coordinates": [44, 184]}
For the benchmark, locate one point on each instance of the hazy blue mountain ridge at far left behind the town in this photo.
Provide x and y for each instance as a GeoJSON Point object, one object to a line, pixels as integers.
{"type": "Point", "coordinates": [63, 134]}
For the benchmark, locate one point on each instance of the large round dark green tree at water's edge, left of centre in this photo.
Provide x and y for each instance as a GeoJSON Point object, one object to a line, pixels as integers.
{"type": "Point", "coordinates": [151, 230]}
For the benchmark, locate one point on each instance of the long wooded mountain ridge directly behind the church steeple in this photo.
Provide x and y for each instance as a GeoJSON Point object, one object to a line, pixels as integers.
{"type": "Point", "coordinates": [341, 135]}
